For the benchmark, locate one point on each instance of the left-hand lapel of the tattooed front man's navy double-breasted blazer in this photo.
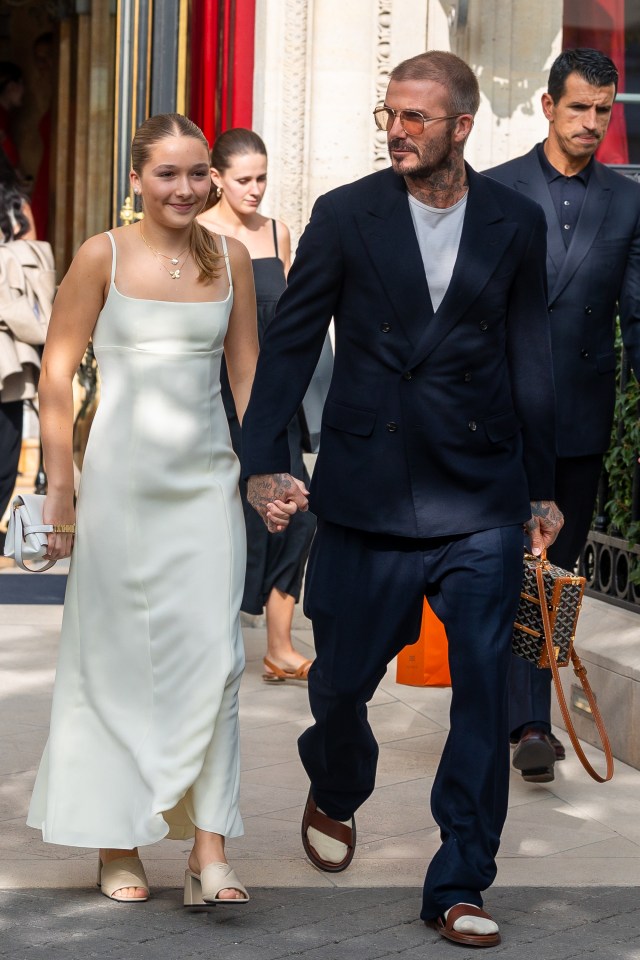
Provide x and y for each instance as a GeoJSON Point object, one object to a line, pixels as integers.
{"type": "Point", "coordinates": [390, 239]}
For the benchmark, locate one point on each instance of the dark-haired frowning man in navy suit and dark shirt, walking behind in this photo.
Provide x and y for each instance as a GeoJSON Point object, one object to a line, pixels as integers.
{"type": "Point", "coordinates": [593, 267]}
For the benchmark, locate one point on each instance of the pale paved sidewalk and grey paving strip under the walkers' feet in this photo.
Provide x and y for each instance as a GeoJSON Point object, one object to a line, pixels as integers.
{"type": "Point", "coordinates": [569, 865]}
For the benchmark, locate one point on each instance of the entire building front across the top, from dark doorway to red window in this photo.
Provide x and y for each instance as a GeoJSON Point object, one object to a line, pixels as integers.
{"type": "Point", "coordinates": [306, 74]}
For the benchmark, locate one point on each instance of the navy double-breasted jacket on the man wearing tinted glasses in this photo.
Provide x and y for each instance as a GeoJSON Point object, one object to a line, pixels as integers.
{"type": "Point", "coordinates": [434, 425]}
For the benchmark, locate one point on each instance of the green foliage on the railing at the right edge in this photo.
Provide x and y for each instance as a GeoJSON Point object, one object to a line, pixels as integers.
{"type": "Point", "coordinates": [620, 463]}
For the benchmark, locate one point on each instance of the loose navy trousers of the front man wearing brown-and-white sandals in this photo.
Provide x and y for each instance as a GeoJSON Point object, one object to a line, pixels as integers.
{"type": "Point", "coordinates": [364, 593]}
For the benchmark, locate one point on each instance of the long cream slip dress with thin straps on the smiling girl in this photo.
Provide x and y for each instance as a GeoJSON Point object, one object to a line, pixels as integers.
{"type": "Point", "coordinates": [144, 724]}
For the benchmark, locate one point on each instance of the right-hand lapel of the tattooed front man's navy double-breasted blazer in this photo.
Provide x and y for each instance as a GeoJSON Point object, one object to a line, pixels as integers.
{"type": "Point", "coordinates": [485, 237]}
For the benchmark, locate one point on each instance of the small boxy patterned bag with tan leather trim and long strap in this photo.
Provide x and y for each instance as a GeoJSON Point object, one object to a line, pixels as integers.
{"type": "Point", "coordinates": [543, 633]}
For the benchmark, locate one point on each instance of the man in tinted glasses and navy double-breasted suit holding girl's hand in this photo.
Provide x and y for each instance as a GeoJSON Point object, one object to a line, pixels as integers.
{"type": "Point", "coordinates": [437, 446]}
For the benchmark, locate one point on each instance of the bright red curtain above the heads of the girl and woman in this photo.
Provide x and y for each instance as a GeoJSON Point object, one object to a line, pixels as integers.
{"type": "Point", "coordinates": [222, 60]}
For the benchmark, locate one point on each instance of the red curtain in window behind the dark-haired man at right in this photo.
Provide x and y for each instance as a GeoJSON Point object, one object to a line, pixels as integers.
{"type": "Point", "coordinates": [600, 24]}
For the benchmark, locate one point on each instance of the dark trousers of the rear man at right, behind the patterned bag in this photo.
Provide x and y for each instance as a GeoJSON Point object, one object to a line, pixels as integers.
{"type": "Point", "coordinates": [576, 489]}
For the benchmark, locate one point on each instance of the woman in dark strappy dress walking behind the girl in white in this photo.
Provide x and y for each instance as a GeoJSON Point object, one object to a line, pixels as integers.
{"type": "Point", "coordinates": [275, 565]}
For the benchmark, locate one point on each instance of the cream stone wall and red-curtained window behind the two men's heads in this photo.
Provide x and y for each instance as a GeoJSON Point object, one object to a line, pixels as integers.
{"type": "Point", "coordinates": [322, 65]}
